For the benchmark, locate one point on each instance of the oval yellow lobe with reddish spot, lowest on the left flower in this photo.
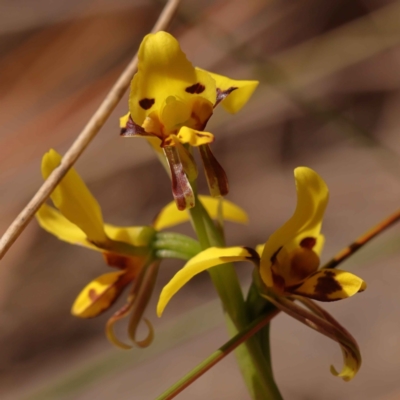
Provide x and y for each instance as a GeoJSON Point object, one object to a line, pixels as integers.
{"type": "Point", "coordinates": [99, 294]}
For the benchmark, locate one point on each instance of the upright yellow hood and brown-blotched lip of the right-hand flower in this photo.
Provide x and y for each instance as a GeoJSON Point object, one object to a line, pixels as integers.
{"type": "Point", "coordinates": [290, 258]}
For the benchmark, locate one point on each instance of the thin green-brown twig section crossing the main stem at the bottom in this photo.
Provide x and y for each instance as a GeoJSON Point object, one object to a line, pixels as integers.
{"type": "Point", "coordinates": [217, 356]}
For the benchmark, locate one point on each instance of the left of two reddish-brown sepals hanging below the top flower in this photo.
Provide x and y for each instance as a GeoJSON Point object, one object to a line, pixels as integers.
{"type": "Point", "coordinates": [181, 187]}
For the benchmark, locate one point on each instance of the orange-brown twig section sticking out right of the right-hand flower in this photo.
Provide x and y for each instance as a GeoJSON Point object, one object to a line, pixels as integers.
{"type": "Point", "coordinates": [363, 240]}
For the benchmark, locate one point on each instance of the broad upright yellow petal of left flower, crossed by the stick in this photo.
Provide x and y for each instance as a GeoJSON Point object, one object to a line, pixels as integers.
{"type": "Point", "coordinates": [74, 200]}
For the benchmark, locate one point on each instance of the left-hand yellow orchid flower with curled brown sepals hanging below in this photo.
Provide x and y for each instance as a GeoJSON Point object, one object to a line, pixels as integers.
{"type": "Point", "coordinates": [78, 220]}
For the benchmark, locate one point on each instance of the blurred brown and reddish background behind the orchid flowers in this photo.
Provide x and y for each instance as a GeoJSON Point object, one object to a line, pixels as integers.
{"type": "Point", "coordinates": [328, 99]}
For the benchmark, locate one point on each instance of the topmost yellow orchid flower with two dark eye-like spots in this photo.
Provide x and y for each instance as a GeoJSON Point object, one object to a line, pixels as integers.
{"type": "Point", "coordinates": [170, 104]}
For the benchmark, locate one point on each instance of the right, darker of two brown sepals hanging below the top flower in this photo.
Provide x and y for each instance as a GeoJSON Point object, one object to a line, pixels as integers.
{"type": "Point", "coordinates": [215, 174]}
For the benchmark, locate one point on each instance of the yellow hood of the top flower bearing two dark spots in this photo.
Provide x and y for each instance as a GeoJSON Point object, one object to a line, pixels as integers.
{"type": "Point", "coordinates": [164, 71]}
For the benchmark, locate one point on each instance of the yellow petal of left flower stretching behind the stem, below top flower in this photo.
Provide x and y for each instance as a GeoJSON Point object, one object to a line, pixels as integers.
{"type": "Point", "coordinates": [171, 216]}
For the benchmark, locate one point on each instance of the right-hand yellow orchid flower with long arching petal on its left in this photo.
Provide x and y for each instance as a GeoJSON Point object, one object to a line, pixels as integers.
{"type": "Point", "coordinates": [289, 261]}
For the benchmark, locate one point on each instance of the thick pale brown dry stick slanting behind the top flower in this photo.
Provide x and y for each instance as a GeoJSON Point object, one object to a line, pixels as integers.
{"type": "Point", "coordinates": [82, 141]}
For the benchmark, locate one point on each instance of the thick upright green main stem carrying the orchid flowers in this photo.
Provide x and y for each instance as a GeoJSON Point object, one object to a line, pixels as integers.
{"type": "Point", "coordinates": [254, 366]}
